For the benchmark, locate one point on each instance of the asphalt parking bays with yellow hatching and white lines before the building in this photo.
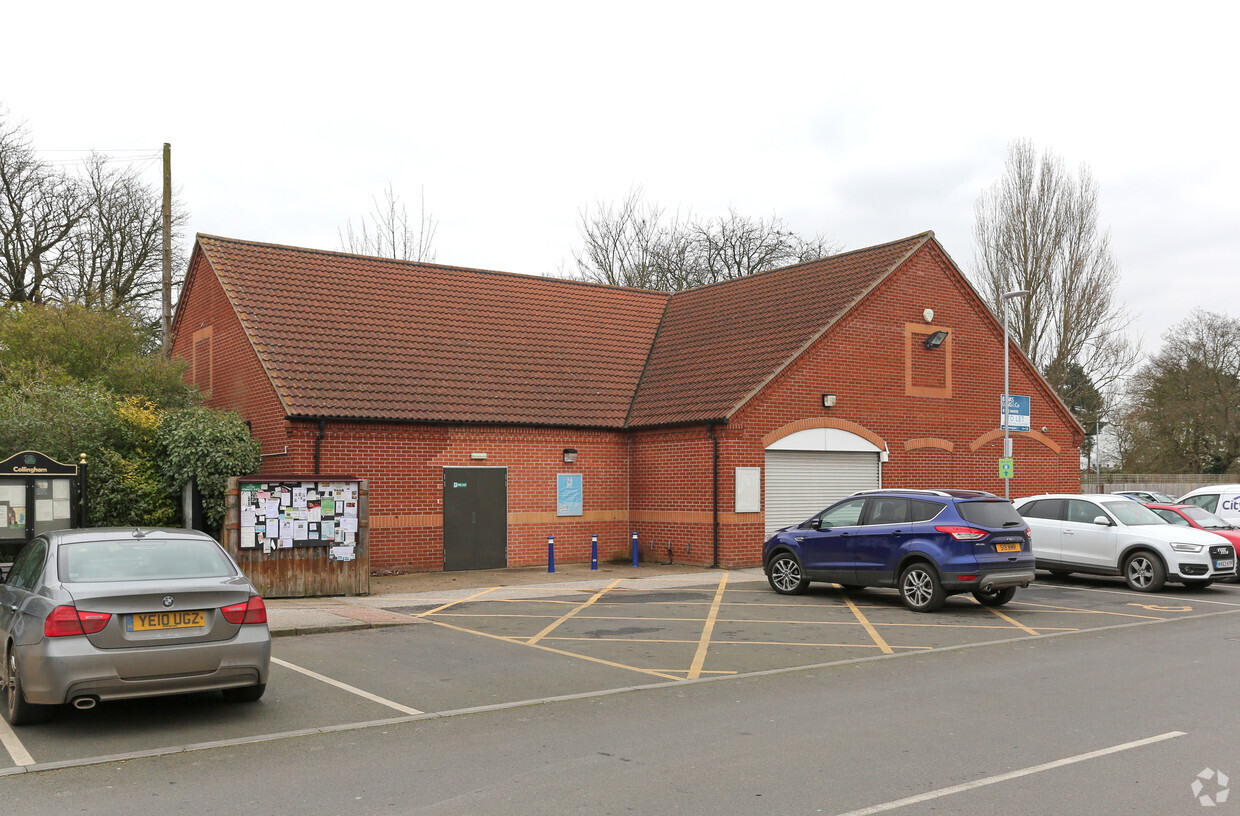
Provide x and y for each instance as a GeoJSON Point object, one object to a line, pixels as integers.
{"type": "Point", "coordinates": [479, 652]}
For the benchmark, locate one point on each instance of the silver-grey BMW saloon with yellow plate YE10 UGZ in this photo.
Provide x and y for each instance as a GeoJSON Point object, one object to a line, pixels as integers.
{"type": "Point", "coordinates": [89, 616]}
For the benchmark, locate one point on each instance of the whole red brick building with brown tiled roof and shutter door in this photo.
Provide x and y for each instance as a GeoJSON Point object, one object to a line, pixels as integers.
{"type": "Point", "coordinates": [490, 410]}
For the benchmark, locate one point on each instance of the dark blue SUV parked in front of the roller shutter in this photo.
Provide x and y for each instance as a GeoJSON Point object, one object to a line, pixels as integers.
{"type": "Point", "coordinates": [927, 544]}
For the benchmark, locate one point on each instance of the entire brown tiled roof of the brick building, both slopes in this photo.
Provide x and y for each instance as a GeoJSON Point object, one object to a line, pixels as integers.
{"type": "Point", "coordinates": [358, 338]}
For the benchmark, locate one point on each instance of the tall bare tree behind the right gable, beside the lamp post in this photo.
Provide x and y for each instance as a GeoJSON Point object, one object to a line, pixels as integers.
{"type": "Point", "coordinates": [1037, 229]}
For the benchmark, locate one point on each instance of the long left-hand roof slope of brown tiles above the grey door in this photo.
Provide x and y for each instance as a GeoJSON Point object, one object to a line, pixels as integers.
{"type": "Point", "coordinates": [350, 337]}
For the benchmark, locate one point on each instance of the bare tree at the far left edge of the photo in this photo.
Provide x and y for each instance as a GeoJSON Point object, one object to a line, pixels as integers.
{"type": "Point", "coordinates": [39, 211]}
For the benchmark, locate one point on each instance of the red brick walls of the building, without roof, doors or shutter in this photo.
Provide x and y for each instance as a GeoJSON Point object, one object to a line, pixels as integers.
{"type": "Point", "coordinates": [936, 411]}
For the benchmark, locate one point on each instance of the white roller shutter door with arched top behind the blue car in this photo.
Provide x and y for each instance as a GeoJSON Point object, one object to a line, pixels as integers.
{"type": "Point", "coordinates": [802, 483]}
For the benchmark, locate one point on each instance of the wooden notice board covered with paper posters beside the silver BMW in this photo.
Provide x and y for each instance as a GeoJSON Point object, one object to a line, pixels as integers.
{"type": "Point", "coordinates": [298, 536]}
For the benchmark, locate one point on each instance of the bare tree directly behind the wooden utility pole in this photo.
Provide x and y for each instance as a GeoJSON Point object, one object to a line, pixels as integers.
{"type": "Point", "coordinates": [113, 257]}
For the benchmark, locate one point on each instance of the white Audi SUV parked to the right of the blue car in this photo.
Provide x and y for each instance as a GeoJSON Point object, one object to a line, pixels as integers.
{"type": "Point", "coordinates": [1114, 536]}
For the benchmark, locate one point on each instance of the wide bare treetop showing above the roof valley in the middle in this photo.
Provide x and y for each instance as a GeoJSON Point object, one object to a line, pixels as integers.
{"type": "Point", "coordinates": [633, 245]}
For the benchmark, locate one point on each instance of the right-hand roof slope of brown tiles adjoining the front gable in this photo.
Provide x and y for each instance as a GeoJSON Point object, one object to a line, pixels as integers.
{"type": "Point", "coordinates": [720, 344]}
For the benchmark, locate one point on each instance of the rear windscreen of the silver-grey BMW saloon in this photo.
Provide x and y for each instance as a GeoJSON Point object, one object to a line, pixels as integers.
{"type": "Point", "coordinates": [142, 560]}
